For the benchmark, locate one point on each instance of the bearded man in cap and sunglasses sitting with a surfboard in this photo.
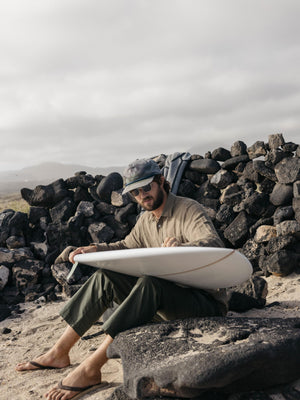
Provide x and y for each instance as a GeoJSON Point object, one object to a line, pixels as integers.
{"type": "Point", "coordinates": [168, 221]}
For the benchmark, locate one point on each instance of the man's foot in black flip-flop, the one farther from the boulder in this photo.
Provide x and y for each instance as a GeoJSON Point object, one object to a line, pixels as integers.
{"type": "Point", "coordinates": [48, 360]}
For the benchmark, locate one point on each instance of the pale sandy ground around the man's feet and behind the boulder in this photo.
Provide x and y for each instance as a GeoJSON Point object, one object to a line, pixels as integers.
{"type": "Point", "coordinates": [25, 335]}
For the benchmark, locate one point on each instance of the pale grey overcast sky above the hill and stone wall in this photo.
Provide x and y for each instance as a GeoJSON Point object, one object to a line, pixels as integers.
{"type": "Point", "coordinates": [101, 83]}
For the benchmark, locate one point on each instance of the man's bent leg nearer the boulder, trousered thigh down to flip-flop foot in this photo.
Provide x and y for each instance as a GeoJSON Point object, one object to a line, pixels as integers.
{"type": "Point", "coordinates": [148, 296]}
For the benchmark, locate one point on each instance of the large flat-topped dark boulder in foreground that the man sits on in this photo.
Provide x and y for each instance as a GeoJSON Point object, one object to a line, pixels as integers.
{"type": "Point", "coordinates": [188, 358]}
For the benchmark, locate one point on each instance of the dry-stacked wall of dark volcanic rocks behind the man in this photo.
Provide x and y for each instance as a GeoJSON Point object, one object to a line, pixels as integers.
{"type": "Point", "coordinates": [251, 193]}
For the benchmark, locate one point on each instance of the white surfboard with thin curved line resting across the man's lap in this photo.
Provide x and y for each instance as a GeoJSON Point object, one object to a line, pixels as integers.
{"type": "Point", "coordinates": [200, 267]}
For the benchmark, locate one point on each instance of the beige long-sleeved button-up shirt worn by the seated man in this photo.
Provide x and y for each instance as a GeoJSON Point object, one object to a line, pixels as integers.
{"type": "Point", "coordinates": [182, 218]}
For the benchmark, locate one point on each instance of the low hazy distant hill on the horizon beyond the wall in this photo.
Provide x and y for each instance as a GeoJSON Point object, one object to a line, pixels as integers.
{"type": "Point", "coordinates": [45, 173]}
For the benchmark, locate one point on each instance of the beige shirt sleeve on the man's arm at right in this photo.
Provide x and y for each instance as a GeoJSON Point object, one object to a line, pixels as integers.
{"type": "Point", "coordinates": [199, 229]}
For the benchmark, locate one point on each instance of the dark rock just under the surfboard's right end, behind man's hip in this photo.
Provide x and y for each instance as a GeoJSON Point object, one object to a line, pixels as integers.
{"type": "Point", "coordinates": [250, 294]}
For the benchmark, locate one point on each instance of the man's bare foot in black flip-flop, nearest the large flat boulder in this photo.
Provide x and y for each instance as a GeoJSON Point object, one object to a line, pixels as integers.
{"type": "Point", "coordinates": [82, 377]}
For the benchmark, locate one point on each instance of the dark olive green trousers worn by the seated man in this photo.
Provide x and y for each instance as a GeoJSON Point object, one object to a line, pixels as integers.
{"type": "Point", "coordinates": [139, 299]}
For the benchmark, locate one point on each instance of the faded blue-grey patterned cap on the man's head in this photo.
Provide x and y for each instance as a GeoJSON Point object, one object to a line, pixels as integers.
{"type": "Point", "coordinates": [139, 173]}
